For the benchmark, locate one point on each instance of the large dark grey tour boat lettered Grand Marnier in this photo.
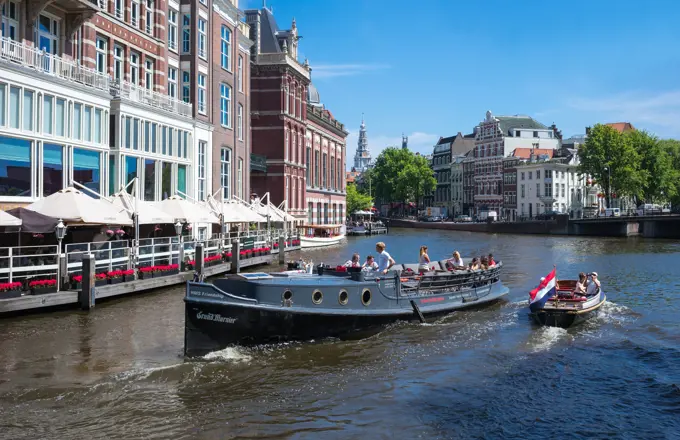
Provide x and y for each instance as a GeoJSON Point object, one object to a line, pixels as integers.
{"type": "Point", "coordinates": [338, 302]}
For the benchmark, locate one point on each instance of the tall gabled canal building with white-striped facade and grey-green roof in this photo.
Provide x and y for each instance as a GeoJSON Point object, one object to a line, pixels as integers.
{"type": "Point", "coordinates": [496, 137]}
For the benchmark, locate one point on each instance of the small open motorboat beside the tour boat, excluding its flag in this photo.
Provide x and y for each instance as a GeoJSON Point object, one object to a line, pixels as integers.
{"type": "Point", "coordinates": [564, 309]}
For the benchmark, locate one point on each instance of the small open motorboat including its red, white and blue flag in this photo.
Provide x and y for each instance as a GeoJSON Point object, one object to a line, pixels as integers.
{"type": "Point", "coordinates": [554, 304]}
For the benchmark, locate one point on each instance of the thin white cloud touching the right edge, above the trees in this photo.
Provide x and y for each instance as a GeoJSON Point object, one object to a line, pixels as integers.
{"type": "Point", "coordinates": [660, 110]}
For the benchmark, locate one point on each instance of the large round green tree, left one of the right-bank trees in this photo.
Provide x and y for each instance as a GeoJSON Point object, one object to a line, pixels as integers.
{"type": "Point", "coordinates": [610, 158]}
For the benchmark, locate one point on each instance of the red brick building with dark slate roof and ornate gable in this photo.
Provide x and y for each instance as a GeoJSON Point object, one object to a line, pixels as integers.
{"type": "Point", "coordinates": [302, 145]}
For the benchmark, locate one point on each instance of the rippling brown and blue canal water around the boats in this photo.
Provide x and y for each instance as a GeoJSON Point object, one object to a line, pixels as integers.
{"type": "Point", "coordinates": [118, 371]}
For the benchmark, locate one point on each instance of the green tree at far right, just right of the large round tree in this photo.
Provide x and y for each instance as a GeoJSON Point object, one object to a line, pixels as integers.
{"type": "Point", "coordinates": [656, 164]}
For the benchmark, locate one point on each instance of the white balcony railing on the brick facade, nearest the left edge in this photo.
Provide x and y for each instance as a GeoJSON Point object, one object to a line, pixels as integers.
{"type": "Point", "coordinates": [19, 54]}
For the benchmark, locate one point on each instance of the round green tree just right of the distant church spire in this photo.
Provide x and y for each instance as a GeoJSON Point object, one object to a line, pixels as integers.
{"type": "Point", "coordinates": [401, 175]}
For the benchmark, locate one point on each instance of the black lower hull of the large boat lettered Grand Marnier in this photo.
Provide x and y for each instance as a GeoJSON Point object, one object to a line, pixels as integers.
{"type": "Point", "coordinates": [255, 326]}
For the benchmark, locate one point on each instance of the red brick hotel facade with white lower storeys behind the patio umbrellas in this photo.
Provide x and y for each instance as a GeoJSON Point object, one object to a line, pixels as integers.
{"type": "Point", "coordinates": [100, 93]}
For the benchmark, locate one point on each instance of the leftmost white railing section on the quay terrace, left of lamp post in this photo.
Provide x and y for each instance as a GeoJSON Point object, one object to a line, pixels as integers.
{"type": "Point", "coordinates": [20, 263]}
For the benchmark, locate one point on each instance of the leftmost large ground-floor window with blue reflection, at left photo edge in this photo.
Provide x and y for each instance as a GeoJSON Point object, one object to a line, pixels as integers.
{"type": "Point", "coordinates": [15, 167]}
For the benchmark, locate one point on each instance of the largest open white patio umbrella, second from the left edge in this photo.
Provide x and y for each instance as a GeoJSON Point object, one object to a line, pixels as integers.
{"type": "Point", "coordinates": [74, 206]}
